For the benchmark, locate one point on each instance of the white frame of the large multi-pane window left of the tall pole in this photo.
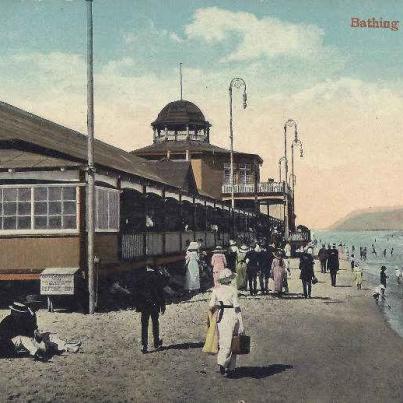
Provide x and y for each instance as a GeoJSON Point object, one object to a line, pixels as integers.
{"type": "Point", "coordinates": [32, 231]}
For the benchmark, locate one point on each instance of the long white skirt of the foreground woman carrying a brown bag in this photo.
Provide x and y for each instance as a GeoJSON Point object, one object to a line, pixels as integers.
{"type": "Point", "coordinates": [227, 327]}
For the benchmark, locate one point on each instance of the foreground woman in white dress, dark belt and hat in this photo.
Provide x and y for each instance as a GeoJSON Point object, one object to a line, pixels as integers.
{"type": "Point", "coordinates": [224, 303]}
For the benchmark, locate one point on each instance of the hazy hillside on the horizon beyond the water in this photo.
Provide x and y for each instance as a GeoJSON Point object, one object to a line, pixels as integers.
{"type": "Point", "coordinates": [371, 220]}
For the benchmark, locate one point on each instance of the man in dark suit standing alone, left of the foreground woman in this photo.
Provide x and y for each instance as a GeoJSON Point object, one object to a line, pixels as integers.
{"type": "Point", "coordinates": [150, 301]}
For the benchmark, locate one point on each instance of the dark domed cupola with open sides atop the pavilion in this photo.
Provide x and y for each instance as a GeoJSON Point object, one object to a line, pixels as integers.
{"type": "Point", "coordinates": [180, 121]}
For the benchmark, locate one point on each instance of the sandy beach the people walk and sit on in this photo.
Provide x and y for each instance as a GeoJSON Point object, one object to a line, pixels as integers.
{"type": "Point", "coordinates": [335, 347]}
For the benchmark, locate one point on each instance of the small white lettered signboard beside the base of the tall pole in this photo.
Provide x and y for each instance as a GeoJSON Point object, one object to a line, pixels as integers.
{"type": "Point", "coordinates": [58, 281]}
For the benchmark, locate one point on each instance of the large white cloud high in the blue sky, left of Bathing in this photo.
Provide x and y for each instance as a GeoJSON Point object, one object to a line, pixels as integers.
{"type": "Point", "coordinates": [257, 37]}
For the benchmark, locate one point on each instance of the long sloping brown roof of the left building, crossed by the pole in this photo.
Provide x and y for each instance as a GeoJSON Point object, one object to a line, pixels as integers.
{"type": "Point", "coordinates": [17, 125]}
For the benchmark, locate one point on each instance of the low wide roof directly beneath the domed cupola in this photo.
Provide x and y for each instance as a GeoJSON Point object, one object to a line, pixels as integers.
{"type": "Point", "coordinates": [193, 146]}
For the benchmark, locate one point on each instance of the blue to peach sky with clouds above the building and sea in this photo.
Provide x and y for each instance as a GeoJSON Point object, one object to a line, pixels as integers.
{"type": "Point", "coordinates": [300, 60]}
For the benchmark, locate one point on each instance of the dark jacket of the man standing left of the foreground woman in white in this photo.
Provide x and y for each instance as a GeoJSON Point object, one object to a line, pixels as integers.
{"type": "Point", "coordinates": [149, 293]}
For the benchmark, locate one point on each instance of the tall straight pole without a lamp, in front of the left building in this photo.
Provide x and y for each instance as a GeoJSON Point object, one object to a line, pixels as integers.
{"type": "Point", "coordinates": [90, 168]}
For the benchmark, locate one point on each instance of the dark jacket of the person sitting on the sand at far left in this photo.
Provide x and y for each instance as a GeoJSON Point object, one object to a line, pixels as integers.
{"type": "Point", "coordinates": [16, 324]}
